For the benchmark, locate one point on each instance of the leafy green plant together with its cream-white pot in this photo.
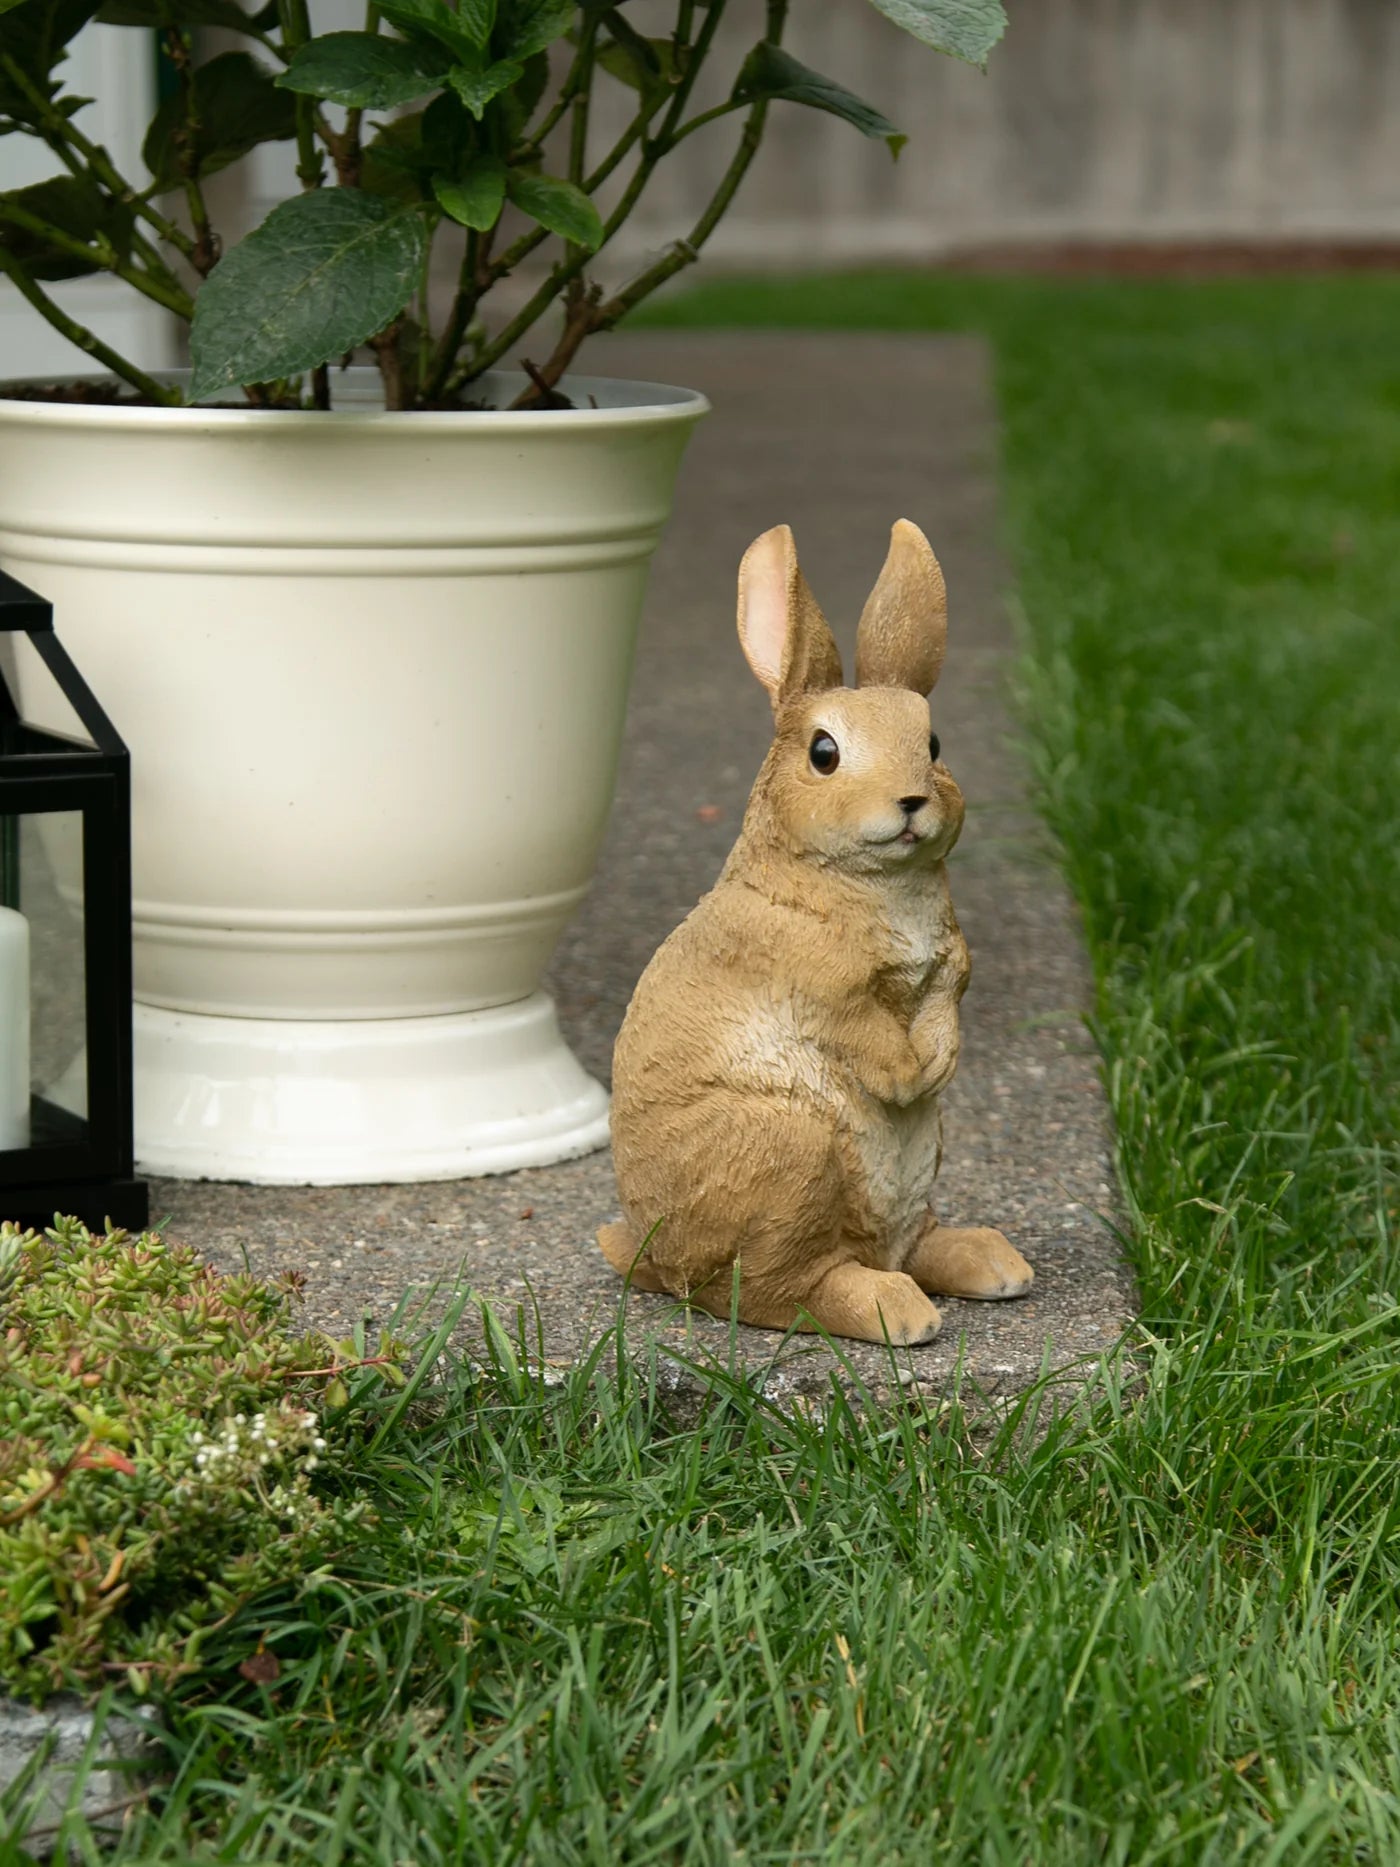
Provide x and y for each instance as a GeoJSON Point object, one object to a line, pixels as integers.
{"type": "Point", "coordinates": [367, 632]}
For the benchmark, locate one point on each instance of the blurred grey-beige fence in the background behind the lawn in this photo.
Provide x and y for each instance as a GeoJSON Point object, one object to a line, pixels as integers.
{"type": "Point", "coordinates": [1099, 120]}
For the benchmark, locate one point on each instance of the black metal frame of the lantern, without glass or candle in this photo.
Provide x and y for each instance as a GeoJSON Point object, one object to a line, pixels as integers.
{"type": "Point", "coordinates": [79, 1166]}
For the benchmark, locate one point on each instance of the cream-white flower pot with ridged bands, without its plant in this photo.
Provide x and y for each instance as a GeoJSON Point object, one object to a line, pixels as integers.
{"type": "Point", "coordinates": [372, 671]}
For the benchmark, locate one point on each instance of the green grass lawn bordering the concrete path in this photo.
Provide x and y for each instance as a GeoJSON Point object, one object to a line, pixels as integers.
{"type": "Point", "coordinates": [1166, 1633]}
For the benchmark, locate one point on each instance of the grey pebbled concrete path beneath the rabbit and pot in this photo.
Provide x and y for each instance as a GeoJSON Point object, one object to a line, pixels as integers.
{"type": "Point", "coordinates": [837, 436]}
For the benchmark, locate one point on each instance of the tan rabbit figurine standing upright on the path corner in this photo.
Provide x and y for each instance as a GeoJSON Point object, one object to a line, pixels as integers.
{"type": "Point", "coordinates": [777, 1080]}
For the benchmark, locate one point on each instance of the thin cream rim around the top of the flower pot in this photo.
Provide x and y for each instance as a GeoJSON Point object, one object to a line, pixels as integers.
{"type": "Point", "coordinates": [623, 402]}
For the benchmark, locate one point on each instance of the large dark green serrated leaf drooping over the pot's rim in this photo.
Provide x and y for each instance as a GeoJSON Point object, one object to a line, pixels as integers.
{"type": "Point", "coordinates": [326, 272]}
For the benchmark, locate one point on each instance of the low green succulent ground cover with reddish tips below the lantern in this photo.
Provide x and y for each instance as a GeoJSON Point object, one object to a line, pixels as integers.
{"type": "Point", "coordinates": [160, 1427]}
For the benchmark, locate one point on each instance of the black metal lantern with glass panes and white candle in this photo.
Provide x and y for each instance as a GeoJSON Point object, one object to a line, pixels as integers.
{"type": "Point", "coordinates": [66, 1142]}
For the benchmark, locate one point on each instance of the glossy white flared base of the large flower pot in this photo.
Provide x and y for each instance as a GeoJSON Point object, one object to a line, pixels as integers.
{"type": "Point", "coordinates": [281, 1102]}
